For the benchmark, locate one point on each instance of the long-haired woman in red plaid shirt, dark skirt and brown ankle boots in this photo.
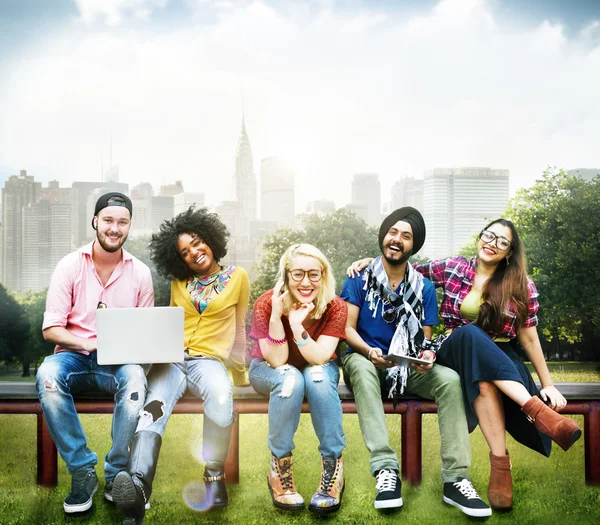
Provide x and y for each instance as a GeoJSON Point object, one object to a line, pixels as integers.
{"type": "Point", "coordinates": [489, 303]}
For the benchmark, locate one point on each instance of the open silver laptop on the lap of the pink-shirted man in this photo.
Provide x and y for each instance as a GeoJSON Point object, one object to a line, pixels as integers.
{"type": "Point", "coordinates": [139, 335]}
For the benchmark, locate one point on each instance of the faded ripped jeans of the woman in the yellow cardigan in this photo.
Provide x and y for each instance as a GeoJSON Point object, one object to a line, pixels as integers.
{"type": "Point", "coordinates": [207, 379]}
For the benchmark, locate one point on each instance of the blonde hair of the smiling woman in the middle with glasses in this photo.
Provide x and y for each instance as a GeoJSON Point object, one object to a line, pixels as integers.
{"type": "Point", "coordinates": [327, 291]}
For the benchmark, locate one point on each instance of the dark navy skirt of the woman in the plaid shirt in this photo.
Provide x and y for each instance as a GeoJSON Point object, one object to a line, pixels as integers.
{"type": "Point", "coordinates": [476, 357]}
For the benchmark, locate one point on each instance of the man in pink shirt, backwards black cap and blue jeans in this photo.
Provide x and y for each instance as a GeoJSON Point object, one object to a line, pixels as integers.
{"type": "Point", "coordinates": [99, 275]}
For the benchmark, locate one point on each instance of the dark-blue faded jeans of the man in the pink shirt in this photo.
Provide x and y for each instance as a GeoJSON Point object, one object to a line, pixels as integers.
{"type": "Point", "coordinates": [66, 373]}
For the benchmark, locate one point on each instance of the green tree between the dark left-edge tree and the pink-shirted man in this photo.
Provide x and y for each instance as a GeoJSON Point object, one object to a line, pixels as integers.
{"type": "Point", "coordinates": [33, 304]}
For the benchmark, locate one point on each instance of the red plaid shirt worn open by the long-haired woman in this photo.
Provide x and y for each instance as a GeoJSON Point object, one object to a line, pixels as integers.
{"type": "Point", "coordinates": [456, 276]}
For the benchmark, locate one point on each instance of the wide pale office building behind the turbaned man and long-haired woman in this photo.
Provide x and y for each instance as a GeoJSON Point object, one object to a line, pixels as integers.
{"type": "Point", "coordinates": [457, 203]}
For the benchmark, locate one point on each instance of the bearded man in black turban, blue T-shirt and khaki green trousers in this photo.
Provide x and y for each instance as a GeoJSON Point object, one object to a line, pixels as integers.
{"type": "Point", "coordinates": [391, 311]}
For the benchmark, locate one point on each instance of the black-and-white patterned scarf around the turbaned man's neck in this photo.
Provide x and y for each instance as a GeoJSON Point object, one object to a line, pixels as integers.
{"type": "Point", "coordinates": [407, 313]}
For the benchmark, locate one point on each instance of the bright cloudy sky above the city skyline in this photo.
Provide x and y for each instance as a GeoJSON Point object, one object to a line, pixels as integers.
{"type": "Point", "coordinates": [393, 87]}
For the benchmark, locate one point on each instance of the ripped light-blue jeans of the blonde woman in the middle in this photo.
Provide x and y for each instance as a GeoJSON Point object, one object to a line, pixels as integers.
{"type": "Point", "coordinates": [287, 386]}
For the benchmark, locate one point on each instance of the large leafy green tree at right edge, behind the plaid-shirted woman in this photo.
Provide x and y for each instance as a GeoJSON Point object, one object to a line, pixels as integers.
{"type": "Point", "coordinates": [559, 221]}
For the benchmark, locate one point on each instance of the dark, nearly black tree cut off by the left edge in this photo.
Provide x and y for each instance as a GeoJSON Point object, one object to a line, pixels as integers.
{"type": "Point", "coordinates": [14, 328]}
